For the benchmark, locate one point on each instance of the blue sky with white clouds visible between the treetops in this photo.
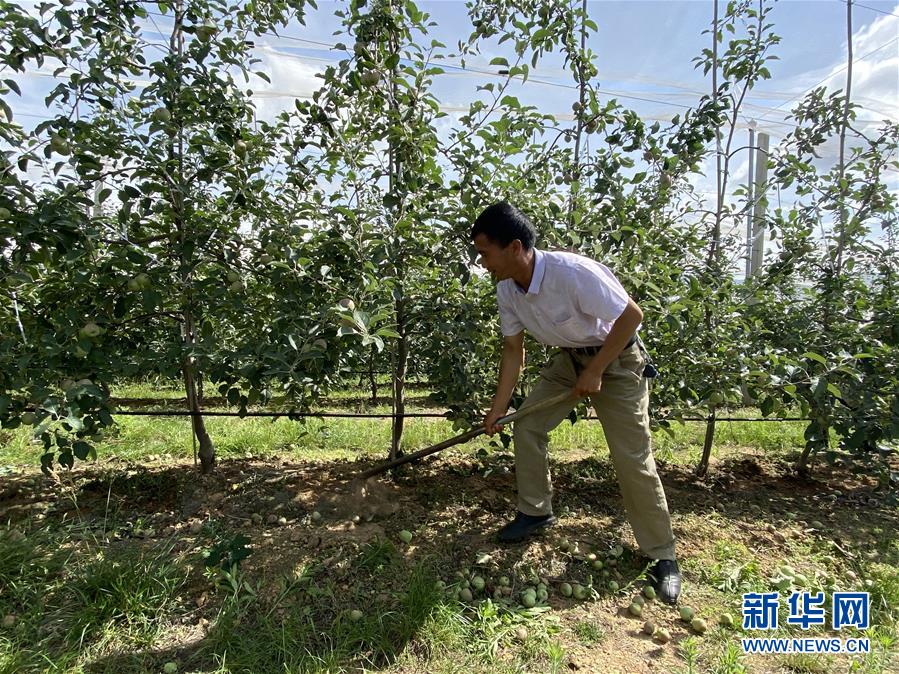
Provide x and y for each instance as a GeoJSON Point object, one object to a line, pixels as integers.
{"type": "Point", "coordinates": [644, 57]}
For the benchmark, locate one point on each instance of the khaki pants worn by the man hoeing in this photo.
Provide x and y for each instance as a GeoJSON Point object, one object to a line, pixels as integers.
{"type": "Point", "coordinates": [622, 406]}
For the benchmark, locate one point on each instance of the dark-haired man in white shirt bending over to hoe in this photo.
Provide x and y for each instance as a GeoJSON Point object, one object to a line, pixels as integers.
{"type": "Point", "coordinates": [573, 302]}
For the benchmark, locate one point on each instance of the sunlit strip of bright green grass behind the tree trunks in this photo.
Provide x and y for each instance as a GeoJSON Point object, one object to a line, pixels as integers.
{"type": "Point", "coordinates": [135, 437]}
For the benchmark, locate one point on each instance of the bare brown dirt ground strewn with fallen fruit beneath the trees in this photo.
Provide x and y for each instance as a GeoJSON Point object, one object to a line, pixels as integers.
{"type": "Point", "coordinates": [453, 504]}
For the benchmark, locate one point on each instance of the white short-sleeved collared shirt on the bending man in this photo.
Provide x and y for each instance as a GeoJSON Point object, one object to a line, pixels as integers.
{"type": "Point", "coordinates": [572, 301]}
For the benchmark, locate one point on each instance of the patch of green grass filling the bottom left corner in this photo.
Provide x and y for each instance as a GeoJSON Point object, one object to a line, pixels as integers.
{"type": "Point", "coordinates": [76, 605]}
